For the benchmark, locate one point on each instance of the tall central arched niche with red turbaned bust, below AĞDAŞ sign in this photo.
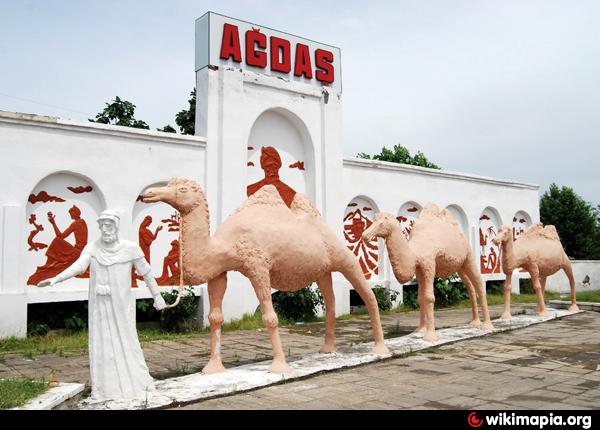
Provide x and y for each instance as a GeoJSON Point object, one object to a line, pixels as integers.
{"type": "Point", "coordinates": [281, 140]}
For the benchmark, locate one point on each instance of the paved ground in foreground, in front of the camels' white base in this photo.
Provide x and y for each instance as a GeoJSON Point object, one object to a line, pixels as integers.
{"type": "Point", "coordinates": [554, 365]}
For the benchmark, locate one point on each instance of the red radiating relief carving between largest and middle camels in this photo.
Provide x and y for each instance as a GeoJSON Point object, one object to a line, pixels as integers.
{"type": "Point", "coordinates": [355, 223]}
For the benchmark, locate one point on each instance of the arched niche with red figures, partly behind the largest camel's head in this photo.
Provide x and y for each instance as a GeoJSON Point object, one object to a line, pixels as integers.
{"type": "Point", "coordinates": [156, 227]}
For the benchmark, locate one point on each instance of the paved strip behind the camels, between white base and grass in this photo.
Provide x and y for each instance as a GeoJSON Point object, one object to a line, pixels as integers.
{"type": "Point", "coordinates": [166, 358]}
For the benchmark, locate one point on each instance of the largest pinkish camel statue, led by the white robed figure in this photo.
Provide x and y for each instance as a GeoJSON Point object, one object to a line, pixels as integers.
{"type": "Point", "coordinates": [274, 247]}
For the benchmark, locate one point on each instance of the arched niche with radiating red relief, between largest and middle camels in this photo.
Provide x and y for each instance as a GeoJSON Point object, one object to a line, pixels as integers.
{"type": "Point", "coordinates": [358, 216]}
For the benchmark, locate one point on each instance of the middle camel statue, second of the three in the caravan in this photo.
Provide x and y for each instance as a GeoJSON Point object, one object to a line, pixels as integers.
{"type": "Point", "coordinates": [437, 248]}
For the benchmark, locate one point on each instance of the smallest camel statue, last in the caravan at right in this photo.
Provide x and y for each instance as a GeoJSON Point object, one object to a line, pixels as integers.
{"type": "Point", "coordinates": [539, 251]}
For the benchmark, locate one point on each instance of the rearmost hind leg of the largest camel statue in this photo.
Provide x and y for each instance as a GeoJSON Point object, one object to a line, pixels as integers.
{"type": "Point", "coordinates": [355, 276]}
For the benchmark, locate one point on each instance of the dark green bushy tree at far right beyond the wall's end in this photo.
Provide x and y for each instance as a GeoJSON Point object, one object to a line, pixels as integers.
{"type": "Point", "coordinates": [574, 219]}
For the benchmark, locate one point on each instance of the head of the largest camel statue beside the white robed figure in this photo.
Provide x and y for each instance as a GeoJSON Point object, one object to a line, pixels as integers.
{"type": "Point", "coordinates": [183, 194]}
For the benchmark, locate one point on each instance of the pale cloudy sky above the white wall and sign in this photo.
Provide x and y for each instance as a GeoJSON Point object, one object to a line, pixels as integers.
{"type": "Point", "coordinates": [508, 89]}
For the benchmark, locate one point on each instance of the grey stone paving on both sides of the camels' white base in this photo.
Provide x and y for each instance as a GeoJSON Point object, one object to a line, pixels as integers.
{"type": "Point", "coordinates": [527, 368]}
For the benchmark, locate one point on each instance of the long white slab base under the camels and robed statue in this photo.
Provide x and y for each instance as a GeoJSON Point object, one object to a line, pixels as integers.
{"type": "Point", "coordinates": [190, 388]}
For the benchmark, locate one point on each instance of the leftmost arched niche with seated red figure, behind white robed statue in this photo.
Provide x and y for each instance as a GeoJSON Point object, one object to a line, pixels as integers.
{"type": "Point", "coordinates": [61, 216]}
